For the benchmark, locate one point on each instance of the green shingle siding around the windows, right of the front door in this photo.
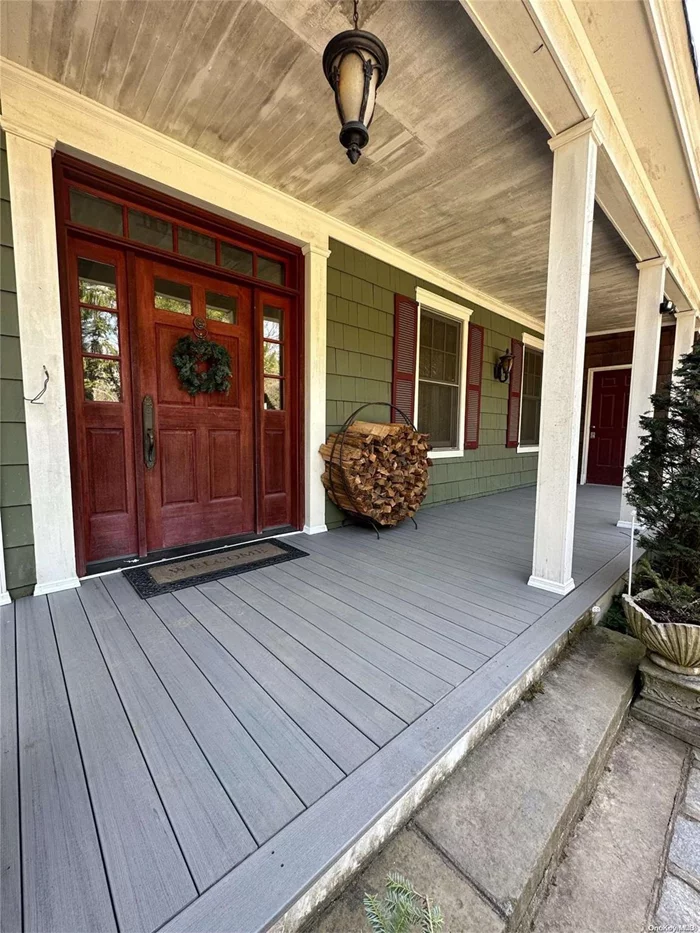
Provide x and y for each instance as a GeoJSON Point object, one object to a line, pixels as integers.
{"type": "Point", "coordinates": [360, 361]}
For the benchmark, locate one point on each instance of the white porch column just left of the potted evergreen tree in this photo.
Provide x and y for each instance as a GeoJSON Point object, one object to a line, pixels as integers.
{"type": "Point", "coordinates": [645, 361]}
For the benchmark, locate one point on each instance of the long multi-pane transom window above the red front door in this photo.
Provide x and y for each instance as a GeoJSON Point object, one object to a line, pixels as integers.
{"type": "Point", "coordinates": [118, 218]}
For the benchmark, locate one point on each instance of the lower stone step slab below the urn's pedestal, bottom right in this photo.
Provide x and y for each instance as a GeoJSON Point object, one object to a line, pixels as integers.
{"type": "Point", "coordinates": [608, 877]}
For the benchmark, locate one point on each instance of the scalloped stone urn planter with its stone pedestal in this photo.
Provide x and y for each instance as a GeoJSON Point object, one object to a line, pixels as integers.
{"type": "Point", "coordinates": [670, 676]}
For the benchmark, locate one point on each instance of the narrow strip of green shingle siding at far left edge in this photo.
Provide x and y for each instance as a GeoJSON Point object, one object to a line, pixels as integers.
{"type": "Point", "coordinates": [15, 495]}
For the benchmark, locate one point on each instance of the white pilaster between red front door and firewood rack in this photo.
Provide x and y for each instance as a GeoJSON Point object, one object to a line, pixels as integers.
{"type": "Point", "coordinates": [315, 278]}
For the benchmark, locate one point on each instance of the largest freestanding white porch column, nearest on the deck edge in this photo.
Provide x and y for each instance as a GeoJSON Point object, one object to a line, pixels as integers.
{"type": "Point", "coordinates": [571, 227]}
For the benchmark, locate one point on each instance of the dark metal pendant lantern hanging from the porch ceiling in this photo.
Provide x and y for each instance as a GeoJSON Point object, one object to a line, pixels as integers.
{"type": "Point", "coordinates": [355, 63]}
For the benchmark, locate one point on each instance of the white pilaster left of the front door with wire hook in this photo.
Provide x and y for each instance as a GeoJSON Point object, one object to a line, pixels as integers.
{"type": "Point", "coordinates": [39, 308]}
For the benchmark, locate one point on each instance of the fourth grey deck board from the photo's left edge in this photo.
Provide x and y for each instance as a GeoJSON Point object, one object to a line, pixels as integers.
{"type": "Point", "coordinates": [209, 830]}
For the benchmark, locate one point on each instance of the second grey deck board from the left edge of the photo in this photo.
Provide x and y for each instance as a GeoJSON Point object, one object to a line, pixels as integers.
{"type": "Point", "coordinates": [64, 880]}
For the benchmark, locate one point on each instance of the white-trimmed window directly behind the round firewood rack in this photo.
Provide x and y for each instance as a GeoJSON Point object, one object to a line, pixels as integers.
{"type": "Point", "coordinates": [441, 371]}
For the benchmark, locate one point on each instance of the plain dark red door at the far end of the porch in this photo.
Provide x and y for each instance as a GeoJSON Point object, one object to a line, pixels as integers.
{"type": "Point", "coordinates": [609, 405]}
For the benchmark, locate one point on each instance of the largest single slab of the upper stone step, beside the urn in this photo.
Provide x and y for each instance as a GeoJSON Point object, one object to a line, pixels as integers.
{"type": "Point", "coordinates": [503, 818]}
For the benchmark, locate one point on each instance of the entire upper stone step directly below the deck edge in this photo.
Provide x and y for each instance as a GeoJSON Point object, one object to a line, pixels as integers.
{"type": "Point", "coordinates": [484, 846]}
